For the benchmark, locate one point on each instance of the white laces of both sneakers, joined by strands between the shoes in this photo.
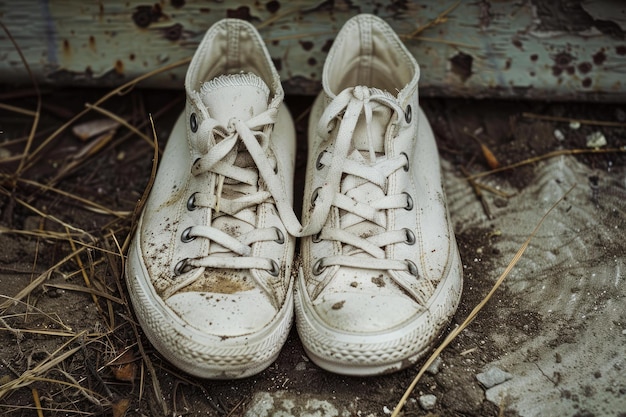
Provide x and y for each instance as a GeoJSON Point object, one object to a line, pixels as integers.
{"type": "Point", "coordinates": [221, 158]}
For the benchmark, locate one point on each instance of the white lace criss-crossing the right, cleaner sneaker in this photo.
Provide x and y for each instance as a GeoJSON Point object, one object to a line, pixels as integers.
{"type": "Point", "coordinates": [349, 171]}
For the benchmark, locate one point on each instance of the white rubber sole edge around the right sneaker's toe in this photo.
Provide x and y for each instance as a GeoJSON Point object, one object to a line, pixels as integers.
{"type": "Point", "coordinates": [362, 354]}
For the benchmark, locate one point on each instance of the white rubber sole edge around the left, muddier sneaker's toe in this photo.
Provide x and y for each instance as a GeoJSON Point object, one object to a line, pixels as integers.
{"type": "Point", "coordinates": [197, 353]}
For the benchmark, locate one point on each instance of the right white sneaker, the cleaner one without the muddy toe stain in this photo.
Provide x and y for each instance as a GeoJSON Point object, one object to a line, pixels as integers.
{"type": "Point", "coordinates": [383, 276]}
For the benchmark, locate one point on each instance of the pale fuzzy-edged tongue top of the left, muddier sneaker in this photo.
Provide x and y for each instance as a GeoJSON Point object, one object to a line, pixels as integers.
{"type": "Point", "coordinates": [241, 96]}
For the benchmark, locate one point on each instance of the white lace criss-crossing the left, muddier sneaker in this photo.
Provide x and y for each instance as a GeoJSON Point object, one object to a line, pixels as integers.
{"type": "Point", "coordinates": [225, 160]}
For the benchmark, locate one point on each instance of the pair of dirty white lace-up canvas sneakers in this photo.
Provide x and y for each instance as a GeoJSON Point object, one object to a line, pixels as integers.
{"type": "Point", "coordinates": [211, 270]}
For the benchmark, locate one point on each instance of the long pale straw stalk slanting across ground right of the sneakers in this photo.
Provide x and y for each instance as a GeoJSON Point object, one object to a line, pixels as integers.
{"type": "Point", "coordinates": [478, 308]}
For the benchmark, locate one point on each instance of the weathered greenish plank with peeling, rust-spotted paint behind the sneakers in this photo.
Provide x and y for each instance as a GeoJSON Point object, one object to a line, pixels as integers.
{"type": "Point", "coordinates": [562, 49]}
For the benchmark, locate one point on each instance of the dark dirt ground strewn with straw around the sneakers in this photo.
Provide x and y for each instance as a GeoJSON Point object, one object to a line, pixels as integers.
{"type": "Point", "coordinates": [69, 344]}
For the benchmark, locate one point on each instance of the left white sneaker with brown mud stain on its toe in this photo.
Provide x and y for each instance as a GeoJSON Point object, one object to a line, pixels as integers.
{"type": "Point", "coordinates": [209, 269]}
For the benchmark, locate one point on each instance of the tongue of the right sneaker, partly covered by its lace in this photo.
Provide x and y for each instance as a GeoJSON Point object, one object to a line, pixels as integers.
{"type": "Point", "coordinates": [381, 116]}
